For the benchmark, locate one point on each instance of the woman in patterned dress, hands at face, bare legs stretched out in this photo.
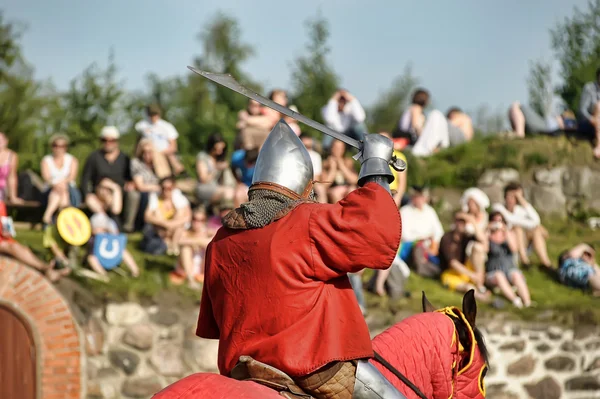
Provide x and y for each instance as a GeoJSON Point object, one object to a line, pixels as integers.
{"type": "Point", "coordinates": [501, 270]}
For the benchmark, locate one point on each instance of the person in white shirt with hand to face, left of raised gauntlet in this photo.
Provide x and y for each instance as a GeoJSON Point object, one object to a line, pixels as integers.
{"type": "Point", "coordinates": [344, 114]}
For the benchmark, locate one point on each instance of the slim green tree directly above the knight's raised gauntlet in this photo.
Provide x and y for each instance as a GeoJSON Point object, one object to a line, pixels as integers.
{"type": "Point", "coordinates": [386, 112]}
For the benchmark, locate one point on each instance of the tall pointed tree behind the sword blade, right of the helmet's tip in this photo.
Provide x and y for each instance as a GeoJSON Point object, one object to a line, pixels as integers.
{"type": "Point", "coordinates": [313, 79]}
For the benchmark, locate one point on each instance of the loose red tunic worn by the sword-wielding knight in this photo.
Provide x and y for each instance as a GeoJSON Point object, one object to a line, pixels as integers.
{"type": "Point", "coordinates": [280, 293]}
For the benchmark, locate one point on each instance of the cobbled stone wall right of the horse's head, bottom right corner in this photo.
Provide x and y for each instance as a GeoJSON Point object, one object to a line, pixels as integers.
{"type": "Point", "coordinates": [541, 361]}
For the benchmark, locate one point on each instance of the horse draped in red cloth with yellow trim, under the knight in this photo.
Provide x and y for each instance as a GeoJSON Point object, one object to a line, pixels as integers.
{"type": "Point", "coordinates": [437, 354]}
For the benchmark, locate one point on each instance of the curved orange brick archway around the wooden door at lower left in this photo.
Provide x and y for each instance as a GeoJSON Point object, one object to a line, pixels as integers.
{"type": "Point", "coordinates": [56, 336]}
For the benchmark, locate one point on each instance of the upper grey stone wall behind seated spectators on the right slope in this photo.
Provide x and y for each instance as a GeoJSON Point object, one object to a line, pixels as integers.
{"type": "Point", "coordinates": [560, 191]}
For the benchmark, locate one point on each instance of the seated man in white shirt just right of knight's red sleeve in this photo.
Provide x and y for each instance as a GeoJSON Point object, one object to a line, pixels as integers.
{"type": "Point", "coordinates": [421, 233]}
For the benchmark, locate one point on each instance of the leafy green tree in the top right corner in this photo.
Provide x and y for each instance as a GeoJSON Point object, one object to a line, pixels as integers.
{"type": "Point", "coordinates": [576, 43]}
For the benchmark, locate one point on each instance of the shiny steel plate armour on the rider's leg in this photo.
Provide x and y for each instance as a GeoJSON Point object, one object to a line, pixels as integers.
{"type": "Point", "coordinates": [371, 384]}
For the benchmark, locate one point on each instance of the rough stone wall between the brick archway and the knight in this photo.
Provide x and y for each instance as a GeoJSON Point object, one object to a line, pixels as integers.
{"type": "Point", "coordinates": [132, 351]}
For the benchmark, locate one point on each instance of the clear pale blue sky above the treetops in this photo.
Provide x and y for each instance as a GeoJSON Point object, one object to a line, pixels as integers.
{"type": "Point", "coordinates": [466, 52]}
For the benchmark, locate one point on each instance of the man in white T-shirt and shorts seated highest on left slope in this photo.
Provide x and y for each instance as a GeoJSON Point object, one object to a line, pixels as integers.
{"type": "Point", "coordinates": [164, 139]}
